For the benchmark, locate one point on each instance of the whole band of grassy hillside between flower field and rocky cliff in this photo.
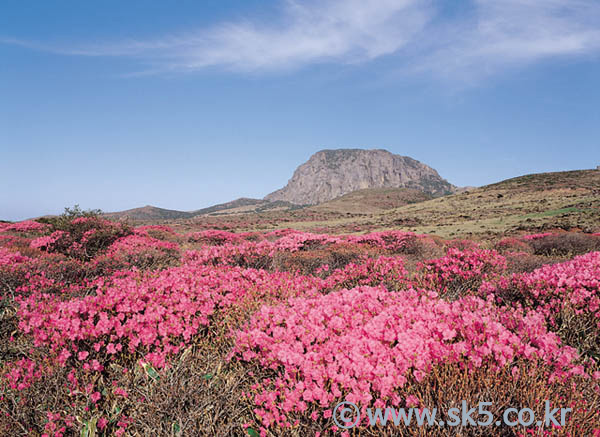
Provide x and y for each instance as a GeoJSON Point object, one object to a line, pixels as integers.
{"type": "Point", "coordinates": [538, 202]}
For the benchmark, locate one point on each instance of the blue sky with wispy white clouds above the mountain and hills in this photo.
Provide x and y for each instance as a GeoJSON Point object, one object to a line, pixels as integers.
{"type": "Point", "coordinates": [181, 105]}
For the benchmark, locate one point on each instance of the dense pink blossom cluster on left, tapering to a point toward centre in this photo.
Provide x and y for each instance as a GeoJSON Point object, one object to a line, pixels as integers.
{"type": "Point", "coordinates": [153, 315]}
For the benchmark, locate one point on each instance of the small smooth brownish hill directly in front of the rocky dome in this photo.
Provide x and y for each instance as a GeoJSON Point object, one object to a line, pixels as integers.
{"type": "Point", "coordinates": [371, 200]}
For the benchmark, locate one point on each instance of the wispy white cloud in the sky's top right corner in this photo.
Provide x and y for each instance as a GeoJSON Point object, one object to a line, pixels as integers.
{"type": "Point", "coordinates": [503, 33]}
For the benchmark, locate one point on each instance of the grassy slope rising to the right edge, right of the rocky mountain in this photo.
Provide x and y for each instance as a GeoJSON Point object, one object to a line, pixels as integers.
{"type": "Point", "coordinates": [536, 202]}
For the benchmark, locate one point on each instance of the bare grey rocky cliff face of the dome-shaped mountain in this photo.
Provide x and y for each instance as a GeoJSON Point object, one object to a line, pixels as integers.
{"type": "Point", "coordinates": [332, 173]}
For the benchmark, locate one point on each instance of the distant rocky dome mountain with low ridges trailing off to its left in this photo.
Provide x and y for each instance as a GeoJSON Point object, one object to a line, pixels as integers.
{"type": "Point", "coordinates": [328, 175]}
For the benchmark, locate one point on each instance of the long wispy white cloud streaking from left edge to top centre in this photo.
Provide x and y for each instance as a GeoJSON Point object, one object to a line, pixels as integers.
{"type": "Point", "coordinates": [306, 32]}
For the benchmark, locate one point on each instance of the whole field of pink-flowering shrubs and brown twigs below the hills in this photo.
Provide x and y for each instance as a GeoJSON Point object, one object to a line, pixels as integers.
{"type": "Point", "coordinates": [110, 329]}
